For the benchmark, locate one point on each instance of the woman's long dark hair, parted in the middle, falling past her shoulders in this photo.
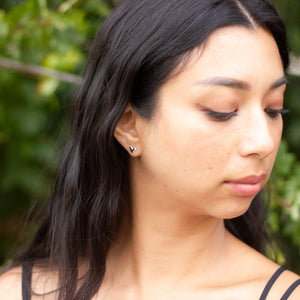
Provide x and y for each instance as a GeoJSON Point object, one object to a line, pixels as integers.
{"type": "Point", "coordinates": [133, 54]}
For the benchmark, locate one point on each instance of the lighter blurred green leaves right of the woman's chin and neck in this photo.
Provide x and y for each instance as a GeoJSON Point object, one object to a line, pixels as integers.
{"type": "Point", "coordinates": [284, 215]}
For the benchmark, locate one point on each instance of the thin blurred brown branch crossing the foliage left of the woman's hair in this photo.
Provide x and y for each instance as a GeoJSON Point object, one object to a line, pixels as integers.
{"type": "Point", "coordinates": [38, 71]}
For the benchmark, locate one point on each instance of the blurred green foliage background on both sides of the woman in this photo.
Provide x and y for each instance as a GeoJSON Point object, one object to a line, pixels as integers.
{"type": "Point", "coordinates": [57, 34]}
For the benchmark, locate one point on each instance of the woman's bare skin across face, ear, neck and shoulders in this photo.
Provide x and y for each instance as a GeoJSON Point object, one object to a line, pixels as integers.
{"type": "Point", "coordinates": [177, 247]}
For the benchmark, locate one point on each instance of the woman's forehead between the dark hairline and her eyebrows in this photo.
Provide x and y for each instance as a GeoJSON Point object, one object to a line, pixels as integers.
{"type": "Point", "coordinates": [235, 52]}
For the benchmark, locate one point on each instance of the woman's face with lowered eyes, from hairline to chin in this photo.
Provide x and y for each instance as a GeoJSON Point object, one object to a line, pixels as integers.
{"type": "Point", "coordinates": [218, 122]}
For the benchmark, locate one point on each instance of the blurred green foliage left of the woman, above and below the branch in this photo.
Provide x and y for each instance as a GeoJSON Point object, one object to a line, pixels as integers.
{"type": "Point", "coordinates": [55, 35]}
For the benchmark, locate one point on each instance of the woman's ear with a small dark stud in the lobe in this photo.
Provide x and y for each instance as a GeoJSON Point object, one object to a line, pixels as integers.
{"type": "Point", "coordinates": [126, 132]}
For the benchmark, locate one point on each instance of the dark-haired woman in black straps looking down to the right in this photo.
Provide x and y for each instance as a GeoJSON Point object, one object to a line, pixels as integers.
{"type": "Point", "coordinates": [174, 133]}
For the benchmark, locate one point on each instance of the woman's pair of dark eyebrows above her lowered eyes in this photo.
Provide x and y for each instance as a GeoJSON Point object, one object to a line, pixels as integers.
{"type": "Point", "coordinates": [238, 84]}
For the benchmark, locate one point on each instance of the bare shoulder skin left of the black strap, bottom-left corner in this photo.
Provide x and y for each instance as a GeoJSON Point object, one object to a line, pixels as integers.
{"type": "Point", "coordinates": [11, 284]}
